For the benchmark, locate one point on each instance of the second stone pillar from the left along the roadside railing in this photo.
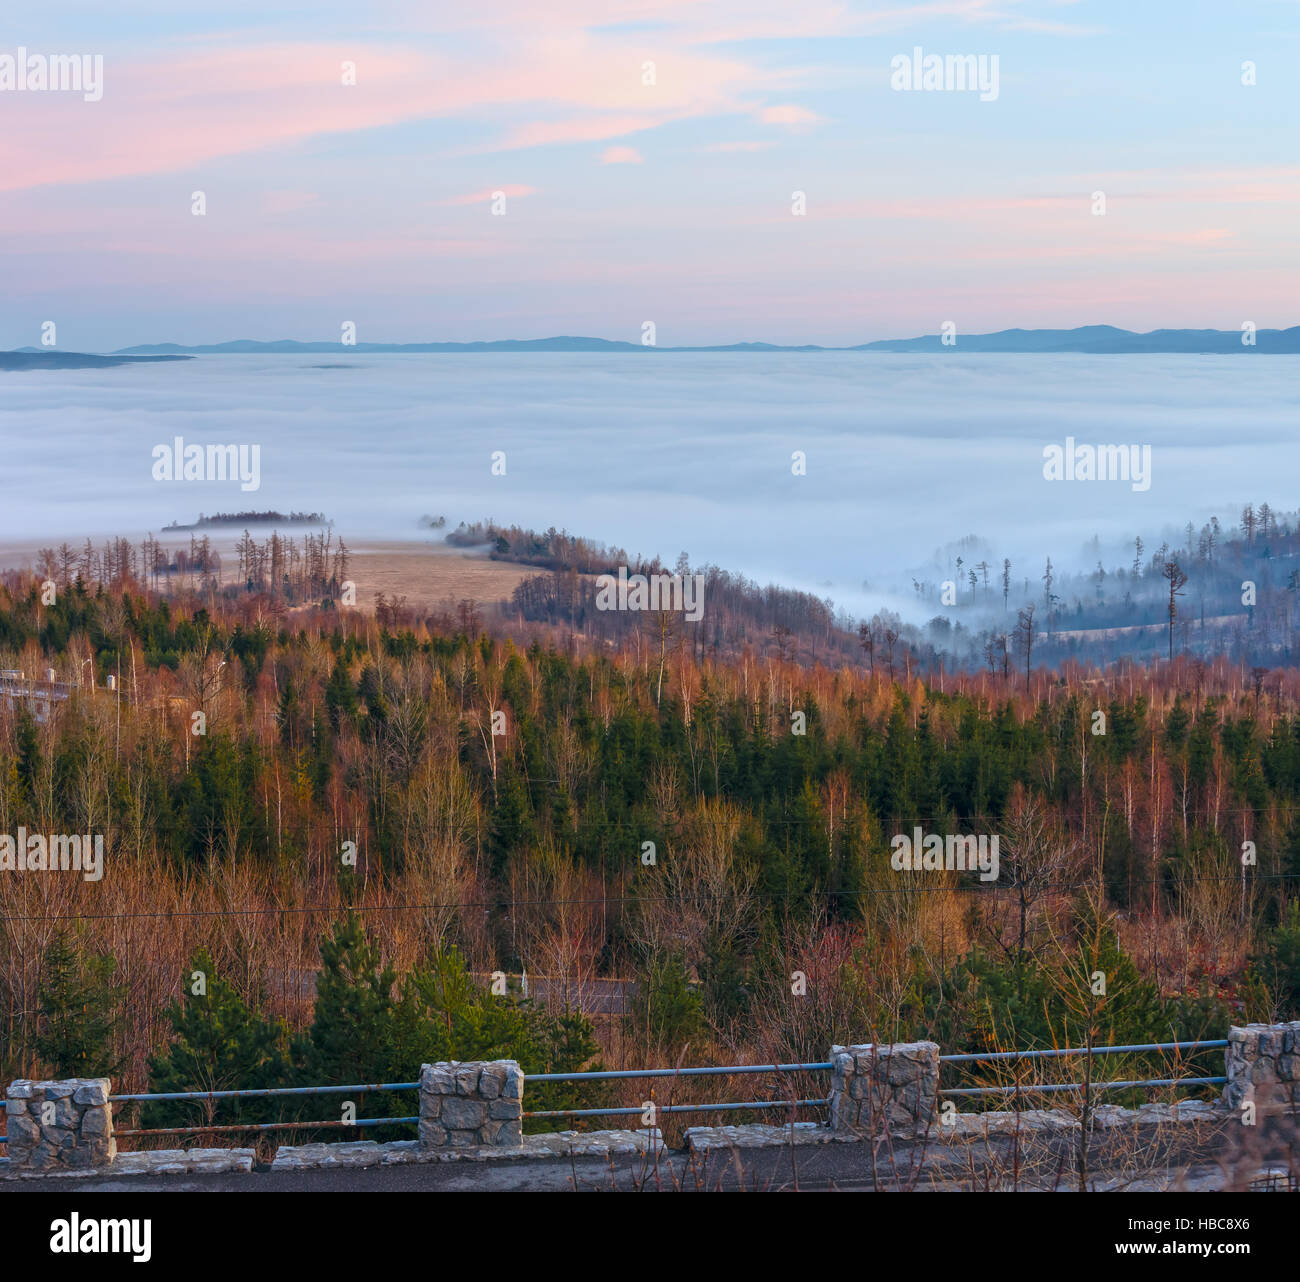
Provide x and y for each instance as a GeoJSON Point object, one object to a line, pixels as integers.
{"type": "Point", "coordinates": [473, 1106]}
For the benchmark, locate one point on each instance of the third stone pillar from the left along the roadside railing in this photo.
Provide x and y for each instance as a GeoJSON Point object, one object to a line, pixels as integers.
{"type": "Point", "coordinates": [878, 1089]}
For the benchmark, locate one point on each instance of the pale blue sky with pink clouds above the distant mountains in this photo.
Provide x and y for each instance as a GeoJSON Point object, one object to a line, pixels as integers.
{"type": "Point", "coordinates": [649, 157]}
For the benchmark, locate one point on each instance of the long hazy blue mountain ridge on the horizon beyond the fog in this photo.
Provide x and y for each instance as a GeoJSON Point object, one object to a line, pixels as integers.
{"type": "Point", "coordinates": [1093, 340]}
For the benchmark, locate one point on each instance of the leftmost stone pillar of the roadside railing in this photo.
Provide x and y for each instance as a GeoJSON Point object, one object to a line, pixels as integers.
{"type": "Point", "coordinates": [60, 1125]}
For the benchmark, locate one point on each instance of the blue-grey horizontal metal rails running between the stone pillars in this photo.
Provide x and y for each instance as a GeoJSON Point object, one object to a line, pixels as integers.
{"type": "Point", "coordinates": [1016, 1088]}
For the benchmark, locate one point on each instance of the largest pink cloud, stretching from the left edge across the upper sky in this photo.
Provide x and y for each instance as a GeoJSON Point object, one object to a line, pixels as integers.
{"type": "Point", "coordinates": [180, 114]}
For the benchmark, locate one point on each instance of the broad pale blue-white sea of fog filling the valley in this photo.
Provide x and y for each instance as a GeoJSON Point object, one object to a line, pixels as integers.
{"type": "Point", "coordinates": [664, 453]}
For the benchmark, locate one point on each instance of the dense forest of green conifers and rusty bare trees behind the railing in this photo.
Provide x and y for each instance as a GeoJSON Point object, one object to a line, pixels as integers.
{"type": "Point", "coordinates": [527, 848]}
